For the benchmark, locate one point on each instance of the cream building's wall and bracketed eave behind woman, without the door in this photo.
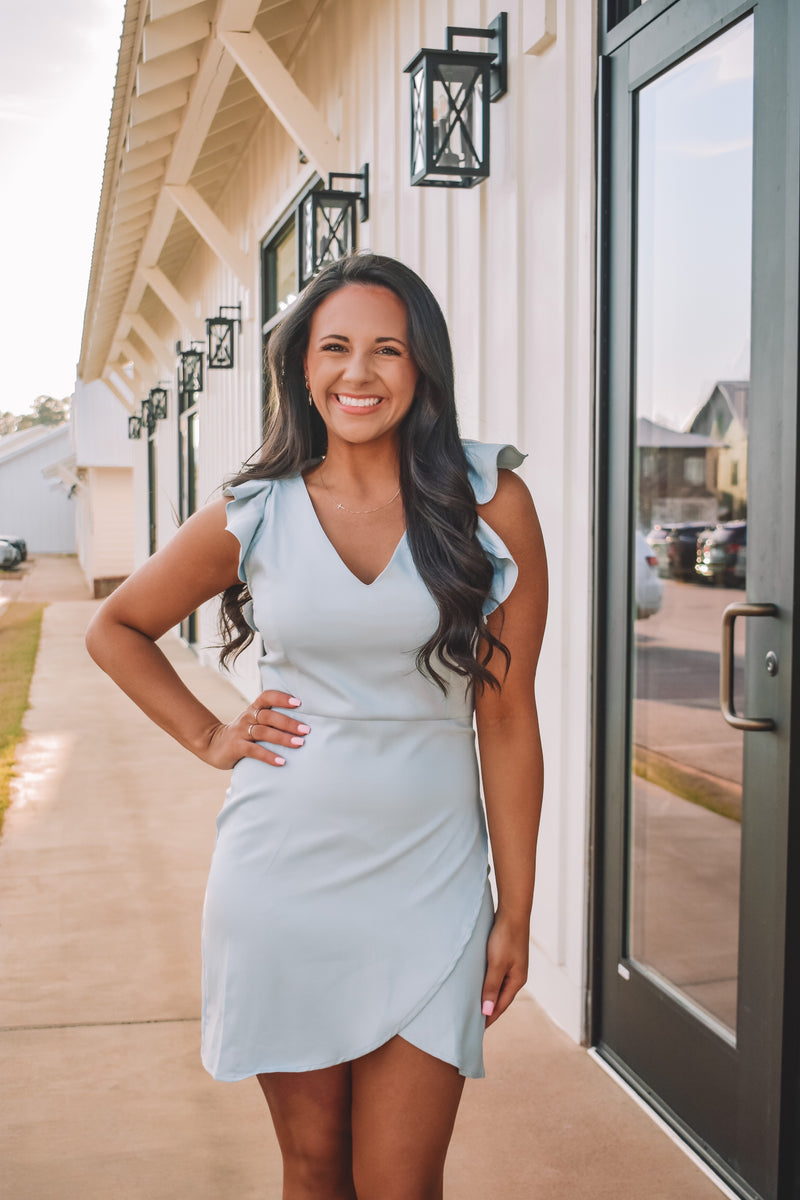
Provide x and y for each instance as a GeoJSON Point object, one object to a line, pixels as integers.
{"type": "Point", "coordinates": [203, 148]}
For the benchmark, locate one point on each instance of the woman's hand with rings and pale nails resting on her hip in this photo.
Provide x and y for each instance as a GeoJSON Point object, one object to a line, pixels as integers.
{"type": "Point", "coordinates": [260, 723]}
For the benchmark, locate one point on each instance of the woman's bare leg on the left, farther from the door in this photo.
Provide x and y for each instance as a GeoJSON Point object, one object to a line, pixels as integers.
{"type": "Point", "coordinates": [311, 1113]}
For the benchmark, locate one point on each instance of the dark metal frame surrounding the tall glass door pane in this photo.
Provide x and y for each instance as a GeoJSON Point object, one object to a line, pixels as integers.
{"type": "Point", "coordinates": [773, 853]}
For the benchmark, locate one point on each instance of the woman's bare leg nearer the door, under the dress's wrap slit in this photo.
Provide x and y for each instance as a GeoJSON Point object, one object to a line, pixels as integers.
{"type": "Point", "coordinates": [405, 1105]}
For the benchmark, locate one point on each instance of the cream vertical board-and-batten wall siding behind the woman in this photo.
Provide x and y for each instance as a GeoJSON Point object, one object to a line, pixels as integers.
{"type": "Point", "coordinates": [513, 266]}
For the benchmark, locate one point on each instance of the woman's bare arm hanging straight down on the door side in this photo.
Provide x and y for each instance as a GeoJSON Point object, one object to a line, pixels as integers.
{"type": "Point", "coordinates": [510, 745]}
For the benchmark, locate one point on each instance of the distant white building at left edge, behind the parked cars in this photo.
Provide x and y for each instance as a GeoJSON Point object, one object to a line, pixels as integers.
{"type": "Point", "coordinates": [33, 505]}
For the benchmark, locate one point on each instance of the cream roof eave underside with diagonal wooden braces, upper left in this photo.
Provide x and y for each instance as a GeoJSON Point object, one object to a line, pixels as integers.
{"type": "Point", "coordinates": [159, 191]}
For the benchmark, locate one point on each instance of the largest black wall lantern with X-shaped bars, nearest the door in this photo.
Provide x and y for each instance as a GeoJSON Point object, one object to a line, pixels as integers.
{"type": "Point", "coordinates": [452, 92]}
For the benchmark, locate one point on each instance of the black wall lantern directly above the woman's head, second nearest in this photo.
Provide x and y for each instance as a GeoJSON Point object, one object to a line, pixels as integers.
{"type": "Point", "coordinates": [327, 223]}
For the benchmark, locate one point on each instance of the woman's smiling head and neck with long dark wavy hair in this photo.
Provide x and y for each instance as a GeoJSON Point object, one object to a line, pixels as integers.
{"type": "Point", "coordinates": [438, 501]}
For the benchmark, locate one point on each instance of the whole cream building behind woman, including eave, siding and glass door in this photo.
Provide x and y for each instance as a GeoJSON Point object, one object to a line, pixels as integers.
{"type": "Point", "coordinates": [226, 115]}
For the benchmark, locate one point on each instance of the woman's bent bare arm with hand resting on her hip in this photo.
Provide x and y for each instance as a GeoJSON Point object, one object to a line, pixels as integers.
{"type": "Point", "coordinates": [200, 562]}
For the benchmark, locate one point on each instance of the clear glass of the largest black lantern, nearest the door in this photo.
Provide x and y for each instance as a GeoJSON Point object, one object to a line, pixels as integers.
{"type": "Point", "coordinates": [458, 116]}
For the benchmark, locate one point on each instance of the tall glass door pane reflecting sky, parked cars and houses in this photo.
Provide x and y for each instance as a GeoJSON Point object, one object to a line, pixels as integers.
{"type": "Point", "coordinates": [690, 538]}
